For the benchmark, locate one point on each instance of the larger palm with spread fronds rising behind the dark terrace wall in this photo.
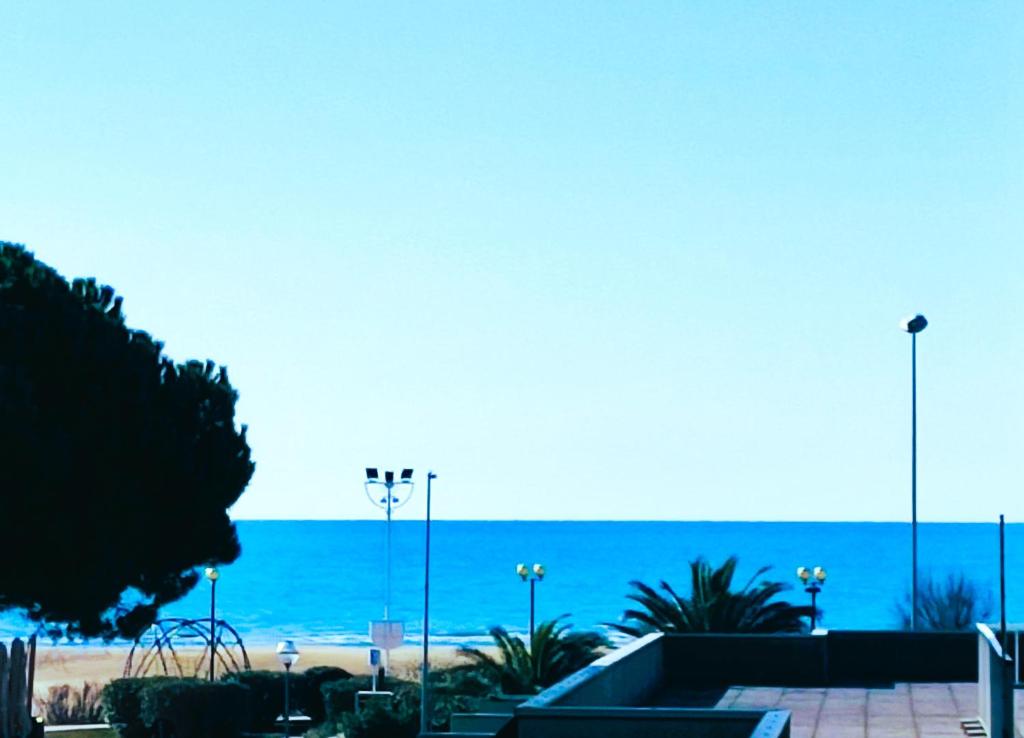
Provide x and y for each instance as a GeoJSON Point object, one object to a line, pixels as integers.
{"type": "Point", "coordinates": [713, 606]}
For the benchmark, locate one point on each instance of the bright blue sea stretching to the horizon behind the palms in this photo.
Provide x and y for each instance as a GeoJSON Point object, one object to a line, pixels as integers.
{"type": "Point", "coordinates": [322, 582]}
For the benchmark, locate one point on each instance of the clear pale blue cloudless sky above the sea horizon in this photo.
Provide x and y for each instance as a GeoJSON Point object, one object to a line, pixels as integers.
{"type": "Point", "coordinates": [586, 261]}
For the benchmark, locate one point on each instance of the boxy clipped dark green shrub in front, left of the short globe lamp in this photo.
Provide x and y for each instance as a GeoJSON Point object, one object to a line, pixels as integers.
{"type": "Point", "coordinates": [194, 709]}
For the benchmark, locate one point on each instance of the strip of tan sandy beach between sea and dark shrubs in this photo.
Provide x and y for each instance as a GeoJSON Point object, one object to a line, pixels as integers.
{"type": "Point", "coordinates": [59, 666]}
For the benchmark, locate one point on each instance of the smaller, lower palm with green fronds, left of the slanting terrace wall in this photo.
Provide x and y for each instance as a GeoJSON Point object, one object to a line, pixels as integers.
{"type": "Point", "coordinates": [553, 655]}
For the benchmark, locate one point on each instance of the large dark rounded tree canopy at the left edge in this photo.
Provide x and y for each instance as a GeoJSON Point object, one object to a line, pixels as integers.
{"type": "Point", "coordinates": [117, 465]}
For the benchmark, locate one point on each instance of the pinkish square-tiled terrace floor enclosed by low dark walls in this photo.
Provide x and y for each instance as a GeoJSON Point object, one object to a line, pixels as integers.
{"type": "Point", "coordinates": [908, 711]}
